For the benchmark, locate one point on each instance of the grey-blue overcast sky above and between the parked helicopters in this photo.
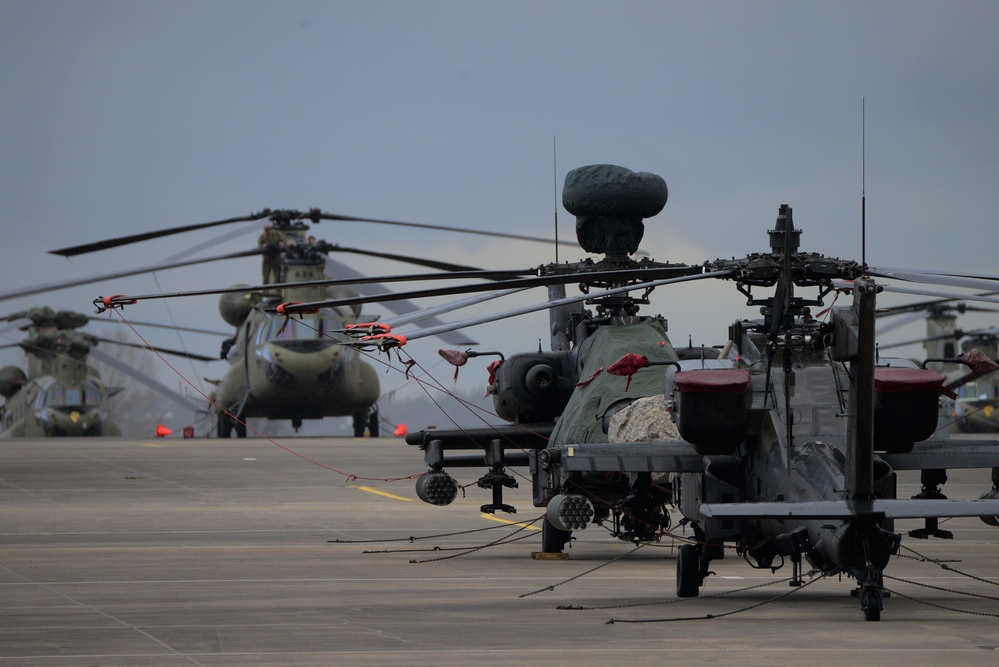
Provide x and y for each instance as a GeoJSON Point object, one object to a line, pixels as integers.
{"type": "Point", "coordinates": [124, 116]}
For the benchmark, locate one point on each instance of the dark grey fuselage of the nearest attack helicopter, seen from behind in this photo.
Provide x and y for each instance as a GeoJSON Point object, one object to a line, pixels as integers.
{"type": "Point", "coordinates": [801, 465]}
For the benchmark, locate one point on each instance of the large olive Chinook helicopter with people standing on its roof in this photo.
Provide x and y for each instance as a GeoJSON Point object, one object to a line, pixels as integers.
{"type": "Point", "coordinates": [297, 368]}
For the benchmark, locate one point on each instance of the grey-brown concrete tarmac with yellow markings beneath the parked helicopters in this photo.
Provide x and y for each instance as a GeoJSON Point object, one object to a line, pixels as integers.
{"type": "Point", "coordinates": [245, 552]}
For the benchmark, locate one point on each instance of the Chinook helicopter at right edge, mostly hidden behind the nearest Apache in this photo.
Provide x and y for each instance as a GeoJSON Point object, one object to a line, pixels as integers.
{"type": "Point", "coordinates": [975, 406]}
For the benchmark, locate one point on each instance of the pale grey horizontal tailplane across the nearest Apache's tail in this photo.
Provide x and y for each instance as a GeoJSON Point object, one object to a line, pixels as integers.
{"type": "Point", "coordinates": [849, 509]}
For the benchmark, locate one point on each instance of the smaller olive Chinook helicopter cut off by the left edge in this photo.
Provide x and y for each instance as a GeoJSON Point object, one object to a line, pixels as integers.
{"type": "Point", "coordinates": [61, 395]}
